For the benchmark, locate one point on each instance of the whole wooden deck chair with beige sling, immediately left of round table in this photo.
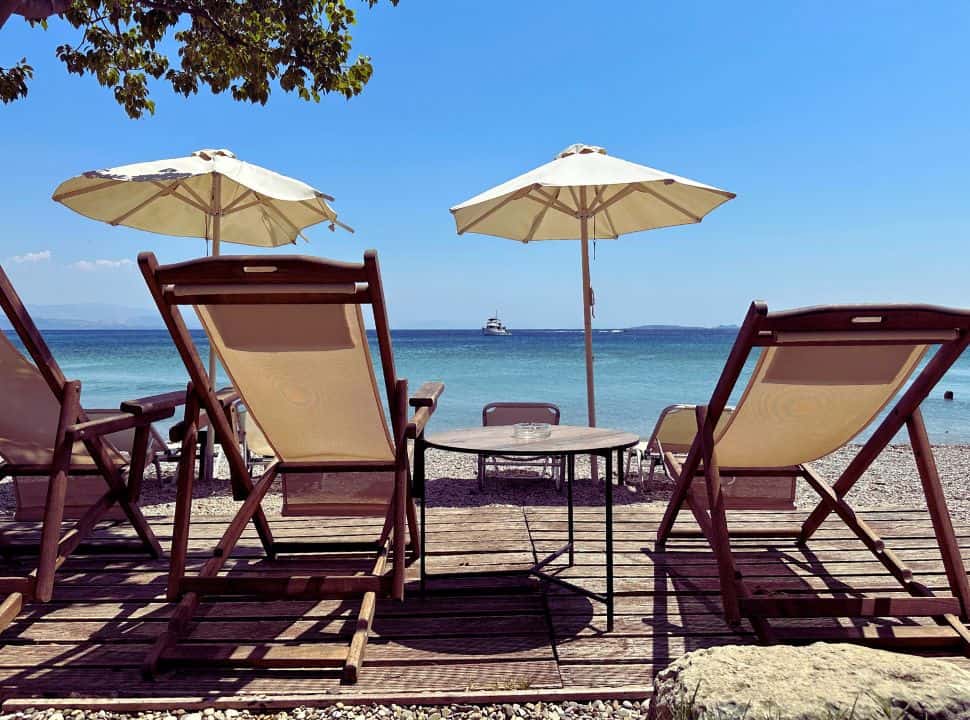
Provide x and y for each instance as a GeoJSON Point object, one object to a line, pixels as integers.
{"type": "Point", "coordinates": [290, 334]}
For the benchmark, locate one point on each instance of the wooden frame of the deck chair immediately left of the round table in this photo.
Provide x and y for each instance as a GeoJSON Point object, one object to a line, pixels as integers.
{"type": "Point", "coordinates": [286, 280]}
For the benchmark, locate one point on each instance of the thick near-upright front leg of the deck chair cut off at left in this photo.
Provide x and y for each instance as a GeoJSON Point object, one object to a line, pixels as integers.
{"type": "Point", "coordinates": [56, 493]}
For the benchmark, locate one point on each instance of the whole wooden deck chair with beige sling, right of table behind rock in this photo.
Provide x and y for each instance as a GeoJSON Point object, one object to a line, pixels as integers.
{"type": "Point", "coordinates": [824, 374]}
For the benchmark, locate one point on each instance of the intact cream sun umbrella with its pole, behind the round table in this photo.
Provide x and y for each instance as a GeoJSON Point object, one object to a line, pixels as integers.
{"type": "Point", "coordinates": [586, 194]}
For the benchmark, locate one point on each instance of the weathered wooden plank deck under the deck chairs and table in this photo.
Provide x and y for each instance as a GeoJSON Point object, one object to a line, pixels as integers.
{"type": "Point", "coordinates": [483, 639]}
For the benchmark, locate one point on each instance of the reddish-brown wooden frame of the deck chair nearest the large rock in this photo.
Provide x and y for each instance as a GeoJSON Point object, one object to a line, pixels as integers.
{"type": "Point", "coordinates": [835, 326]}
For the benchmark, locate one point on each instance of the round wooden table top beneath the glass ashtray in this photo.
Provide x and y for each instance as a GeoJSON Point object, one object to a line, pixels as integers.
{"type": "Point", "coordinates": [563, 439]}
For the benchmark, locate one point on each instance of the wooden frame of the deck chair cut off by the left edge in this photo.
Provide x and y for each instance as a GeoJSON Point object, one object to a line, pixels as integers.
{"type": "Point", "coordinates": [73, 426]}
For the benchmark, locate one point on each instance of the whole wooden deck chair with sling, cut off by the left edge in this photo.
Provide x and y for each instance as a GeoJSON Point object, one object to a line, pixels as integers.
{"type": "Point", "coordinates": [44, 432]}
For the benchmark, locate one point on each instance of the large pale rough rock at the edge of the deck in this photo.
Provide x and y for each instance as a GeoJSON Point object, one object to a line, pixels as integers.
{"type": "Point", "coordinates": [824, 680]}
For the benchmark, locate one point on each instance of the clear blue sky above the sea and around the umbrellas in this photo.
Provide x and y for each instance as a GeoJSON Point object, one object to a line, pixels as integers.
{"type": "Point", "coordinates": [844, 128]}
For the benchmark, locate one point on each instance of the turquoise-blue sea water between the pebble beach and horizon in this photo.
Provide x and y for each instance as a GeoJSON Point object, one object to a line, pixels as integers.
{"type": "Point", "coordinates": [637, 372]}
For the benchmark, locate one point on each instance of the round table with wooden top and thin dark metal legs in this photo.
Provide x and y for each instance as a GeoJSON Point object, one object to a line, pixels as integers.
{"type": "Point", "coordinates": [566, 441]}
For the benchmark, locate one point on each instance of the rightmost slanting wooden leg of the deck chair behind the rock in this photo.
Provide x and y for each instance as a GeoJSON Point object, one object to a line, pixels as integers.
{"type": "Point", "coordinates": [956, 573]}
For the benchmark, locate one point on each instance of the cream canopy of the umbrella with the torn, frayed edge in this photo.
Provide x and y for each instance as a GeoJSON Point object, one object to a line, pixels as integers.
{"type": "Point", "coordinates": [209, 194]}
